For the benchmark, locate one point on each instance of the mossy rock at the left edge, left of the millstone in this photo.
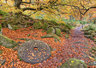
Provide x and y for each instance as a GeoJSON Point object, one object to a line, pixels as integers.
{"type": "Point", "coordinates": [6, 42]}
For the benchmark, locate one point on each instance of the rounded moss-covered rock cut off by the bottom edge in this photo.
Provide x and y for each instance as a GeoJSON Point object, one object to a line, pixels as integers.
{"type": "Point", "coordinates": [74, 63]}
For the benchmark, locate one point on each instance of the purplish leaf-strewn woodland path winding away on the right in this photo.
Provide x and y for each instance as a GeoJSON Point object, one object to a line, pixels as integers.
{"type": "Point", "coordinates": [78, 46]}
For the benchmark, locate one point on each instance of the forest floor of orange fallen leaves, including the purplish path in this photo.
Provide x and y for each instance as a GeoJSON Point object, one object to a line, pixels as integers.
{"type": "Point", "coordinates": [76, 46]}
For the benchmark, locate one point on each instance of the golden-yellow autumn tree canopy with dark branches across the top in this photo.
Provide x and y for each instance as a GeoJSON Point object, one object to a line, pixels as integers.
{"type": "Point", "coordinates": [76, 8]}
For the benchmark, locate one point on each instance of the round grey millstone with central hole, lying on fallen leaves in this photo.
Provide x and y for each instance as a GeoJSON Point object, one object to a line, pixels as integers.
{"type": "Point", "coordinates": [34, 51]}
